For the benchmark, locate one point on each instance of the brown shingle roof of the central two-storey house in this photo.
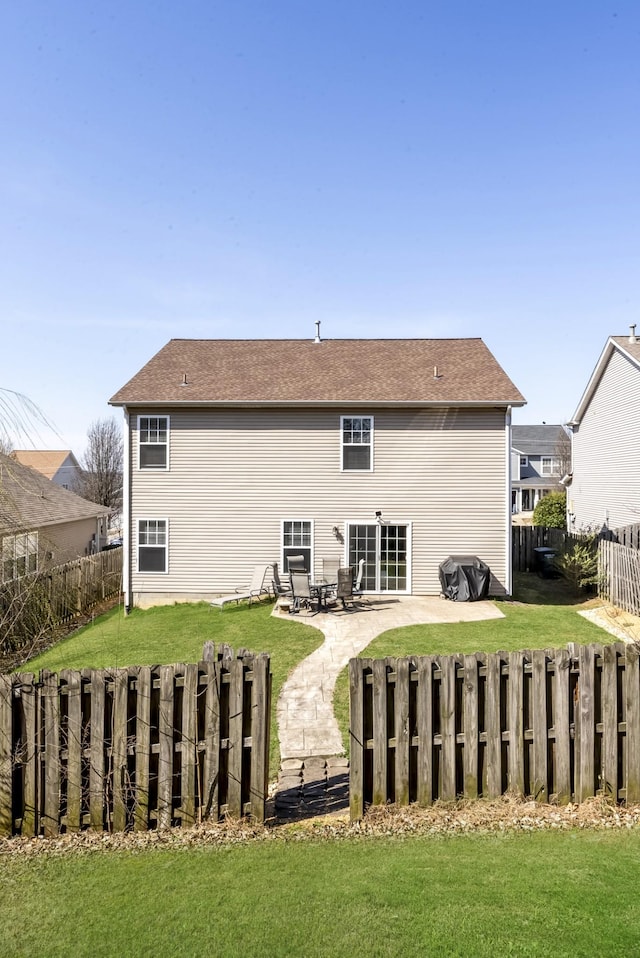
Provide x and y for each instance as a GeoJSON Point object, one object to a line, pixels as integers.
{"type": "Point", "coordinates": [413, 371]}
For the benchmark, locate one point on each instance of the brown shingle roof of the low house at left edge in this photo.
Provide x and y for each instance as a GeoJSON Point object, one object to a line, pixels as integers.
{"type": "Point", "coordinates": [28, 500]}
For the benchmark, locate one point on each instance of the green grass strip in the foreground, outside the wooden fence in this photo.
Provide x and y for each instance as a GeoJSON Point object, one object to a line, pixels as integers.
{"type": "Point", "coordinates": [537, 894]}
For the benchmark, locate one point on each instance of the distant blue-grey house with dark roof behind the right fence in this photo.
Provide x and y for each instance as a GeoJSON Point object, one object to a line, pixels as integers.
{"type": "Point", "coordinates": [540, 459]}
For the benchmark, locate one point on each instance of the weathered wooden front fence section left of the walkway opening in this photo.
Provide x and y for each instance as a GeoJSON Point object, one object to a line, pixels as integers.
{"type": "Point", "coordinates": [135, 748]}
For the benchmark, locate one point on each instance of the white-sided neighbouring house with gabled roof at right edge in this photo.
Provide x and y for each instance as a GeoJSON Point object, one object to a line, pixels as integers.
{"type": "Point", "coordinates": [605, 491]}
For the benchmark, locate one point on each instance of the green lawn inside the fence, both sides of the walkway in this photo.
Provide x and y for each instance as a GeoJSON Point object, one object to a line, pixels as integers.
{"type": "Point", "coordinates": [543, 614]}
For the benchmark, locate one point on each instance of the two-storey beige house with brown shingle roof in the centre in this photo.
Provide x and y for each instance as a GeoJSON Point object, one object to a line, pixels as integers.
{"type": "Point", "coordinates": [243, 452]}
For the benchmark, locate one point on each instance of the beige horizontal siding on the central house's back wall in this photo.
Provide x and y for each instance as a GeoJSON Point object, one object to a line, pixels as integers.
{"type": "Point", "coordinates": [235, 475]}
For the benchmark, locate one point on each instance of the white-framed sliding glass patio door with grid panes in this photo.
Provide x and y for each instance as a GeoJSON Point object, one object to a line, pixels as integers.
{"type": "Point", "coordinates": [385, 549]}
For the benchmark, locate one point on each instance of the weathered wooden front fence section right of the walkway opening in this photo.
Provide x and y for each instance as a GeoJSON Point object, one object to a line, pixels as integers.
{"type": "Point", "coordinates": [556, 724]}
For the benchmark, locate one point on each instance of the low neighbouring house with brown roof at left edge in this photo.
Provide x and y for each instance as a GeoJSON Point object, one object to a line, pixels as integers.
{"type": "Point", "coordinates": [42, 524]}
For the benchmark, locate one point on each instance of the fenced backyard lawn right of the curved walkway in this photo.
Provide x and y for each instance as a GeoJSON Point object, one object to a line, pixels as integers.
{"type": "Point", "coordinates": [543, 613]}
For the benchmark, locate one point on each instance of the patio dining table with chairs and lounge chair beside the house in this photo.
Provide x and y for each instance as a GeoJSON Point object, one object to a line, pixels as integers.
{"type": "Point", "coordinates": [337, 585]}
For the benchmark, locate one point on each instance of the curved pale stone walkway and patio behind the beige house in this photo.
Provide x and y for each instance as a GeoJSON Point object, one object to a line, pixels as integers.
{"type": "Point", "coordinates": [306, 724]}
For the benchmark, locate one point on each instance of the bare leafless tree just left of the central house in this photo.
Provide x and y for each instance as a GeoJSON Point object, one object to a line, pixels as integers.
{"type": "Point", "coordinates": [102, 465]}
